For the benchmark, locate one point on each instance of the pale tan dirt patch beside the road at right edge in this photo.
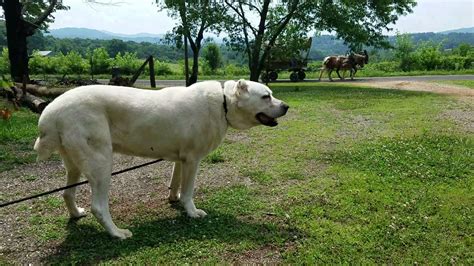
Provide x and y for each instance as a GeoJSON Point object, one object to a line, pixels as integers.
{"type": "Point", "coordinates": [419, 86]}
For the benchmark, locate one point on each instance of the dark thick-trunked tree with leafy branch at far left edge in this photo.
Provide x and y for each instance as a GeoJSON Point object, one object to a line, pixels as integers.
{"type": "Point", "coordinates": [22, 20]}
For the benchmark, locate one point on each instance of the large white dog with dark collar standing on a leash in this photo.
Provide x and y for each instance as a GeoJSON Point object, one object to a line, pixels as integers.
{"type": "Point", "coordinates": [180, 124]}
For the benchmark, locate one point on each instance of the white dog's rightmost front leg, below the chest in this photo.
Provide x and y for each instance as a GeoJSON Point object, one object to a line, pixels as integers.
{"type": "Point", "coordinates": [188, 175]}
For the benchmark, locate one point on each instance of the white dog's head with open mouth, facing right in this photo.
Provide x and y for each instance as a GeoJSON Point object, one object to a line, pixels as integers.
{"type": "Point", "coordinates": [252, 104]}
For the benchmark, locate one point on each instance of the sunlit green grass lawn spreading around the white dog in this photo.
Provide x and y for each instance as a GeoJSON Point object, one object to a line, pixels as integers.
{"type": "Point", "coordinates": [351, 175]}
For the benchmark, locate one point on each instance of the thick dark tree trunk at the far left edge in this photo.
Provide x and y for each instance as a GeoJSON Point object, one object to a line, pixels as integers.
{"type": "Point", "coordinates": [17, 32]}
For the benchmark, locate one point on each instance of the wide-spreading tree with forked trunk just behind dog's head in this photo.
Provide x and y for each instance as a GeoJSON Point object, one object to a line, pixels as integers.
{"type": "Point", "coordinates": [357, 22]}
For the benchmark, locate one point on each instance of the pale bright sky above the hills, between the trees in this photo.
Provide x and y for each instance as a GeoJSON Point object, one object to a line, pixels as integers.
{"type": "Point", "coordinates": [138, 16]}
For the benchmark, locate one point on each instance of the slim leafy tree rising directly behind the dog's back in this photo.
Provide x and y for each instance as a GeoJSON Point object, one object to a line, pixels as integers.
{"type": "Point", "coordinates": [197, 17]}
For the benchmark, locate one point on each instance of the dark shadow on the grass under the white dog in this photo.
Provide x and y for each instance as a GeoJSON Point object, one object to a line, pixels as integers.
{"type": "Point", "coordinates": [218, 232]}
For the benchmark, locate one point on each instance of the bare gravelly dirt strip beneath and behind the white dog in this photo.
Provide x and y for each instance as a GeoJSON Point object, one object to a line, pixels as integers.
{"type": "Point", "coordinates": [147, 186]}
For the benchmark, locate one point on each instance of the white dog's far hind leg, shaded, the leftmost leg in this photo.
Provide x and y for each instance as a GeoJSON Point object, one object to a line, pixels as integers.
{"type": "Point", "coordinates": [73, 174]}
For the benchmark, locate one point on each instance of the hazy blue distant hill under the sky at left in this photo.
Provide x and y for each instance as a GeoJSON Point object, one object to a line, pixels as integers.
{"type": "Point", "coordinates": [85, 33]}
